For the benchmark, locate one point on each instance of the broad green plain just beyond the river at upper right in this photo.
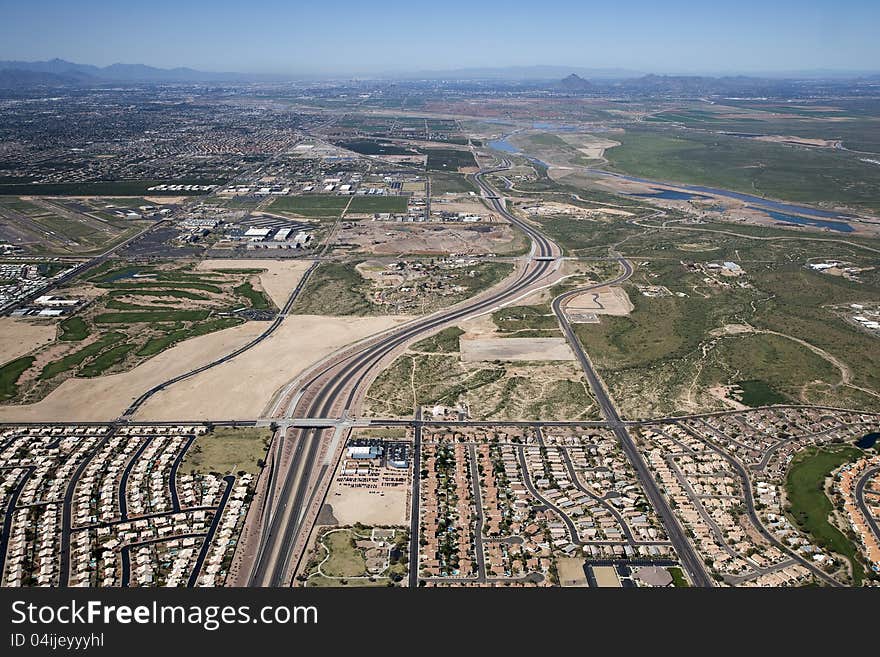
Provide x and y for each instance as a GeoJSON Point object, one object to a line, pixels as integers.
{"type": "Point", "coordinates": [806, 175]}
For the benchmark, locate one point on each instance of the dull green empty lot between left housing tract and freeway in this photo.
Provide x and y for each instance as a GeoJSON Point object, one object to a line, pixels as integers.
{"type": "Point", "coordinates": [227, 450]}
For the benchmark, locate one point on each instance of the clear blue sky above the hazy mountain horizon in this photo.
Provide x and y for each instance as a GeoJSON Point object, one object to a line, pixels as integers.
{"type": "Point", "coordinates": [353, 37]}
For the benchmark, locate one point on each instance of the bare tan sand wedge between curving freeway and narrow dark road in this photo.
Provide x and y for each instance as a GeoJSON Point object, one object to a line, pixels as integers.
{"type": "Point", "coordinates": [242, 387]}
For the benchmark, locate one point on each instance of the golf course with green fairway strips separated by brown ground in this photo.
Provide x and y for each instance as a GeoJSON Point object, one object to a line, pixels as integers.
{"type": "Point", "coordinates": [134, 312]}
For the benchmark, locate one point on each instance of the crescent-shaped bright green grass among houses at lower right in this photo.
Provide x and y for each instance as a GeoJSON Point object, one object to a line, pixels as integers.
{"type": "Point", "coordinates": [810, 506]}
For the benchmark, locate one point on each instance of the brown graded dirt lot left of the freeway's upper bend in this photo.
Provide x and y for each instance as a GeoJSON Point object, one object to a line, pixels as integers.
{"type": "Point", "coordinates": [386, 238]}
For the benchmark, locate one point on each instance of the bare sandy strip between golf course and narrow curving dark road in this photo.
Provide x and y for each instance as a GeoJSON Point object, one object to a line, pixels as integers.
{"type": "Point", "coordinates": [107, 397]}
